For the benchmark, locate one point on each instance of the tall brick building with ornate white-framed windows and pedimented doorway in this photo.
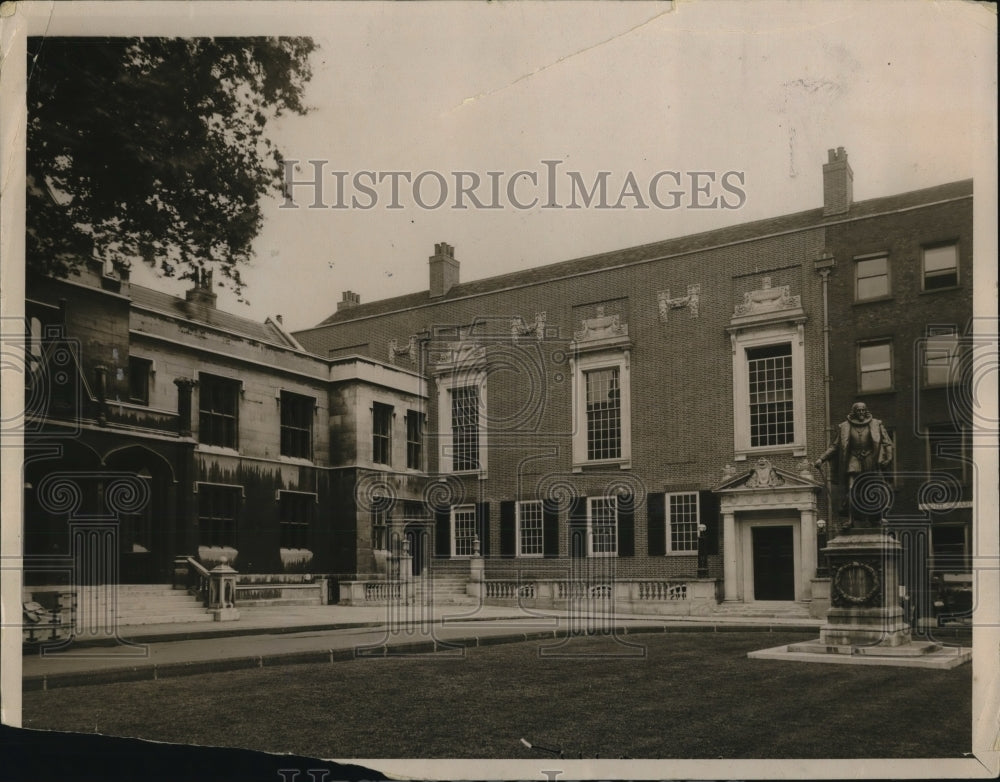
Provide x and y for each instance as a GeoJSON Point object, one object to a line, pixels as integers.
{"type": "Point", "coordinates": [606, 409]}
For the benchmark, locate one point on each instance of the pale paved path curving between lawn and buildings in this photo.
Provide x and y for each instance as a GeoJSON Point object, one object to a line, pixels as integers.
{"type": "Point", "coordinates": [275, 636]}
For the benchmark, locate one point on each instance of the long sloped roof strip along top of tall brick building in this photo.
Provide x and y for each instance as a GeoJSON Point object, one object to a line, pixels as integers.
{"type": "Point", "coordinates": [719, 236]}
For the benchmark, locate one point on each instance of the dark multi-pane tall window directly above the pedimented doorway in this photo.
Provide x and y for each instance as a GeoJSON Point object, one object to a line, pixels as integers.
{"type": "Point", "coordinates": [772, 420]}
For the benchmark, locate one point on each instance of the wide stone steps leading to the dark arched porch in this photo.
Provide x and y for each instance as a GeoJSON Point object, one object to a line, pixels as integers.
{"type": "Point", "coordinates": [139, 604]}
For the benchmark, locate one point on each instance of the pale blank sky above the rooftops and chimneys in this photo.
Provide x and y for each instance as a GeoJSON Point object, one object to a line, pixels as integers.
{"type": "Point", "coordinates": [759, 89]}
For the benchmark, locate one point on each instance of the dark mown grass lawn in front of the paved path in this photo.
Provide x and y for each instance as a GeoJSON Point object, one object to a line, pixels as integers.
{"type": "Point", "coordinates": [694, 695]}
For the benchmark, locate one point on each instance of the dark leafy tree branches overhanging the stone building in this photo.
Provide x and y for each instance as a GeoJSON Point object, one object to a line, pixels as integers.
{"type": "Point", "coordinates": [155, 149]}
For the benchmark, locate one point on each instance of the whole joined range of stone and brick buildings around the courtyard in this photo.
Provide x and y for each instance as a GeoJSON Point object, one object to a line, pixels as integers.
{"type": "Point", "coordinates": [606, 419]}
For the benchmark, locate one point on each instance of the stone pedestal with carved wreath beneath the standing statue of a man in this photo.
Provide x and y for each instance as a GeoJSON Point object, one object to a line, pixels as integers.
{"type": "Point", "coordinates": [864, 592]}
